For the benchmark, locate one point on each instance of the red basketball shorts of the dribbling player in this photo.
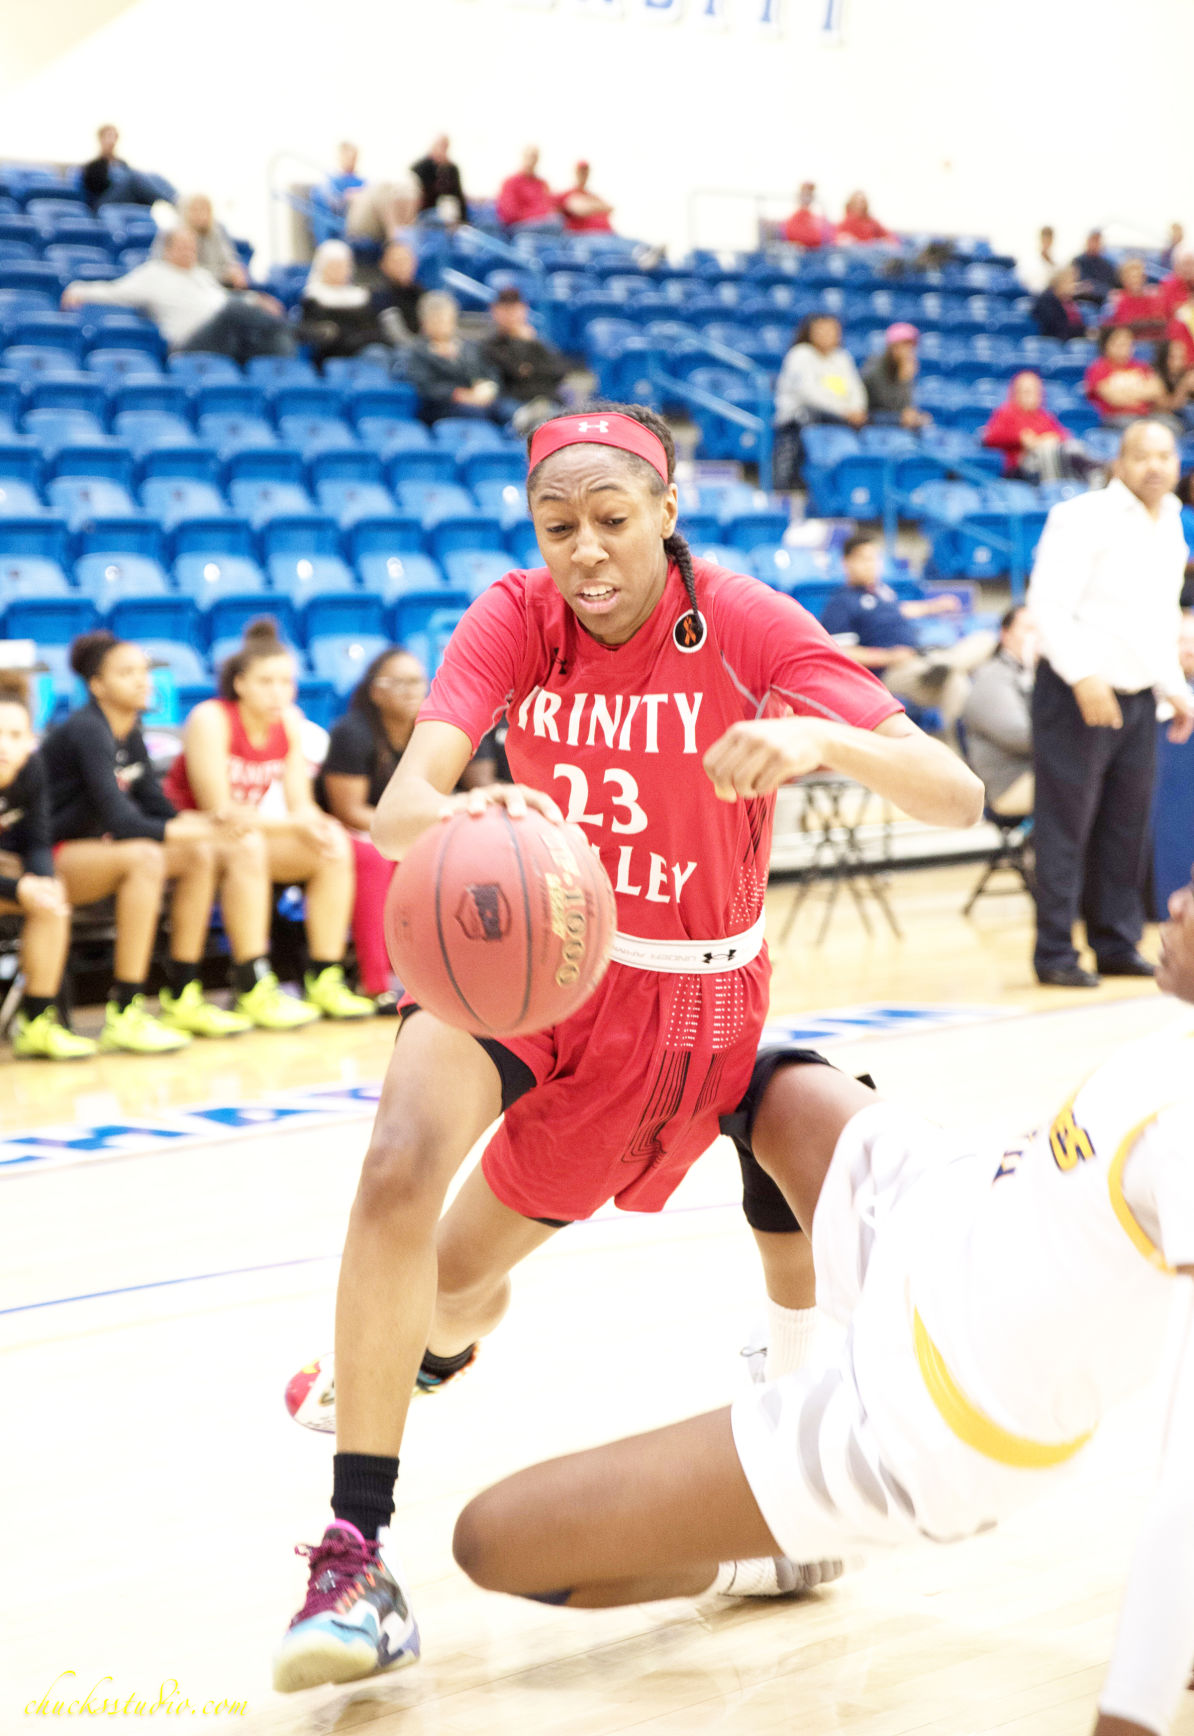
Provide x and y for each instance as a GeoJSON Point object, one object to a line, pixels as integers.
{"type": "Point", "coordinates": [627, 1093]}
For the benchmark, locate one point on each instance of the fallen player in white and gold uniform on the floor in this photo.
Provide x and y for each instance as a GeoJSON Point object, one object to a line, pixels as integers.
{"type": "Point", "coordinates": [1000, 1305]}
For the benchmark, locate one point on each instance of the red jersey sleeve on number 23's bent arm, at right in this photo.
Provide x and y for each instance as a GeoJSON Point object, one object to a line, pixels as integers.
{"type": "Point", "coordinates": [773, 647]}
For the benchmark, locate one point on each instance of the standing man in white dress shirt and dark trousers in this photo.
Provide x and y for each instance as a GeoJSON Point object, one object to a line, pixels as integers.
{"type": "Point", "coordinates": [1105, 595]}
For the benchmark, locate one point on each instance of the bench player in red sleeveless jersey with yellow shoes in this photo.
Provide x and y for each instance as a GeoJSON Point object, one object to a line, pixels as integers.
{"type": "Point", "coordinates": [235, 749]}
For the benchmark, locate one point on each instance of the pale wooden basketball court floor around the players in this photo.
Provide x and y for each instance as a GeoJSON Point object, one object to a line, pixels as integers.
{"type": "Point", "coordinates": [155, 1299]}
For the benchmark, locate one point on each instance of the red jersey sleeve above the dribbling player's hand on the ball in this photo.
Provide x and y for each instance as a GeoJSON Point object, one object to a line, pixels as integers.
{"type": "Point", "coordinates": [482, 662]}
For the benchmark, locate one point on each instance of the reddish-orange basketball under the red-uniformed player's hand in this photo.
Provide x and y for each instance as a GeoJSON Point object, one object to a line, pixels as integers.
{"type": "Point", "coordinates": [501, 926]}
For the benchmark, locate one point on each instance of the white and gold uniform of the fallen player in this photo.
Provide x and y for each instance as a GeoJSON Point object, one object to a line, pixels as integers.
{"type": "Point", "coordinates": [997, 1306]}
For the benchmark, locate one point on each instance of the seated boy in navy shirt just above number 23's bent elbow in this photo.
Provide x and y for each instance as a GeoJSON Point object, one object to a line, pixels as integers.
{"type": "Point", "coordinates": [879, 631]}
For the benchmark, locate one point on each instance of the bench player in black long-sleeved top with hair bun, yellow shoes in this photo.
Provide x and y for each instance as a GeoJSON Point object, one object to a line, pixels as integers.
{"type": "Point", "coordinates": [119, 834]}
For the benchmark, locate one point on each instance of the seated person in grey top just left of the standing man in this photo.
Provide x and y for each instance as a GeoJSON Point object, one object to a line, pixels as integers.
{"type": "Point", "coordinates": [999, 716]}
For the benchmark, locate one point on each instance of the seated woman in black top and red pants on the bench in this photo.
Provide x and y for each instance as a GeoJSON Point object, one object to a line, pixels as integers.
{"type": "Point", "coordinates": [365, 747]}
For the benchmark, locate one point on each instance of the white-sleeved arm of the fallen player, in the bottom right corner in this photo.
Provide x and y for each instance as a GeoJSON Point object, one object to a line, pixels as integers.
{"type": "Point", "coordinates": [1155, 1641]}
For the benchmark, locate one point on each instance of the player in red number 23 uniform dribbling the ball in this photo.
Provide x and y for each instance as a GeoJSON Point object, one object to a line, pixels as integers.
{"type": "Point", "coordinates": [660, 704]}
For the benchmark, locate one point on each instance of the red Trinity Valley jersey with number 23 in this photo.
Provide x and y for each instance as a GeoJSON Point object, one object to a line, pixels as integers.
{"type": "Point", "coordinates": [617, 735]}
